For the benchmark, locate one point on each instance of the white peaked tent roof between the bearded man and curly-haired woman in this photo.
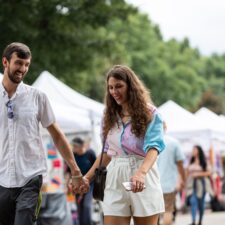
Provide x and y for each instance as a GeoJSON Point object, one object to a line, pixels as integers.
{"type": "Point", "coordinates": [74, 112]}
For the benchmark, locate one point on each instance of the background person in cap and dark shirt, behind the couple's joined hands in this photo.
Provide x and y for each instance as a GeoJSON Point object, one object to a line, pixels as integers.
{"type": "Point", "coordinates": [85, 158]}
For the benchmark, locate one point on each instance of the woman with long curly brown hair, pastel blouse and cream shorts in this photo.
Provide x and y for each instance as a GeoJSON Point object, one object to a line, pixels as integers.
{"type": "Point", "coordinates": [133, 134]}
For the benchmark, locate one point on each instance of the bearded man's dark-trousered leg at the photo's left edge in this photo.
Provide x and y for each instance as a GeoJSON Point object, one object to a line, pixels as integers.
{"type": "Point", "coordinates": [7, 207]}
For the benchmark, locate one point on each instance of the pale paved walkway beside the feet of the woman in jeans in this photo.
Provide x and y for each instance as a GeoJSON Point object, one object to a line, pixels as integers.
{"type": "Point", "coordinates": [210, 218]}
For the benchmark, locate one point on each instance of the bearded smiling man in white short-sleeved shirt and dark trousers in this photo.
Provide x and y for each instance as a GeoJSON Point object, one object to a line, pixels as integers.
{"type": "Point", "coordinates": [22, 155]}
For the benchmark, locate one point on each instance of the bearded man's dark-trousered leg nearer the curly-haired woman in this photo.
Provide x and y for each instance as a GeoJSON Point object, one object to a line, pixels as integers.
{"type": "Point", "coordinates": [27, 202]}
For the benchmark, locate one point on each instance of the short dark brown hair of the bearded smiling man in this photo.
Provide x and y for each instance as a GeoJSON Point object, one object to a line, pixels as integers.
{"type": "Point", "coordinates": [21, 50]}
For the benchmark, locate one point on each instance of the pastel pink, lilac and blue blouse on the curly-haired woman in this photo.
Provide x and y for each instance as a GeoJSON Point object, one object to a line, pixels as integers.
{"type": "Point", "coordinates": [121, 141]}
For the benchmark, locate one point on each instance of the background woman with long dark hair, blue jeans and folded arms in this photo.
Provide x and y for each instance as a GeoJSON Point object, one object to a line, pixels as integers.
{"type": "Point", "coordinates": [198, 183]}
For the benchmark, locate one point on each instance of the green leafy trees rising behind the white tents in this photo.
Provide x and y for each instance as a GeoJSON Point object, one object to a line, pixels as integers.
{"type": "Point", "coordinates": [79, 40]}
